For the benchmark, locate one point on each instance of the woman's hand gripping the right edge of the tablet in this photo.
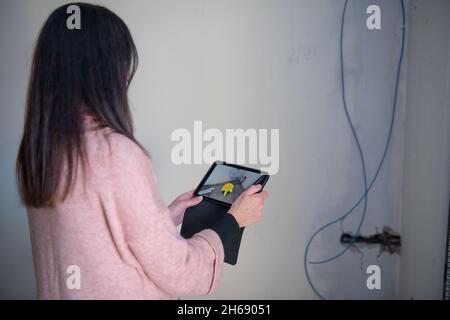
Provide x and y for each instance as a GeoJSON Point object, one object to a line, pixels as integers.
{"type": "Point", "coordinates": [247, 208]}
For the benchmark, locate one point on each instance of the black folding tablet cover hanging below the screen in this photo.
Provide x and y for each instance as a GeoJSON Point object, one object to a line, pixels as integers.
{"type": "Point", "coordinates": [205, 215]}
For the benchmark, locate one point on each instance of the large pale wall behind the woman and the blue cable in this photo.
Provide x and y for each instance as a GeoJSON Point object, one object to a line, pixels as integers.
{"type": "Point", "coordinates": [248, 64]}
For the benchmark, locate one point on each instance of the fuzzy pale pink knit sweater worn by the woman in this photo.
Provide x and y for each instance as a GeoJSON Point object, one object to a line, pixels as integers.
{"type": "Point", "coordinates": [115, 227]}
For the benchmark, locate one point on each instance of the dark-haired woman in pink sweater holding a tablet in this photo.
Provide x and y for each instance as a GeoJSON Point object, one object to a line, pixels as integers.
{"type": "Point", "coordinates": [99, 228]}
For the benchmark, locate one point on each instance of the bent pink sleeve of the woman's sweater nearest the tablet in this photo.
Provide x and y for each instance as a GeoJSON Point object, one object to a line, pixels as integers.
{"type": "Point", "coordinates": [179, 266]}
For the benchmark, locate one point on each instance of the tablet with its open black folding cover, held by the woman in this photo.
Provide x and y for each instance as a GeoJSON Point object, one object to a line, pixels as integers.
{"type": "Point", "coordinates": [221, 185]}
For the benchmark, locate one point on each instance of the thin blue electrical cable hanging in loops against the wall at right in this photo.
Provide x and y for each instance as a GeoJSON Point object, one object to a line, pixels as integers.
{"type": "Point", "coordinates": [355, 136]}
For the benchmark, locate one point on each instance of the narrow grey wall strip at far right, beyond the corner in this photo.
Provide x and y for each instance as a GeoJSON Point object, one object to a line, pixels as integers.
{"type": "Point", "coordinates": [427, 152]}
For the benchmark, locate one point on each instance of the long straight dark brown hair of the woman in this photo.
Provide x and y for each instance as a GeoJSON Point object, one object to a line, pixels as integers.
{"type": "Point", "coordinates": [74, 74]}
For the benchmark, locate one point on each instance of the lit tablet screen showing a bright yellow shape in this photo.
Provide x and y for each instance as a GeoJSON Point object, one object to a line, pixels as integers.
{"type": "Point", "coordinates": [225, 182]}
